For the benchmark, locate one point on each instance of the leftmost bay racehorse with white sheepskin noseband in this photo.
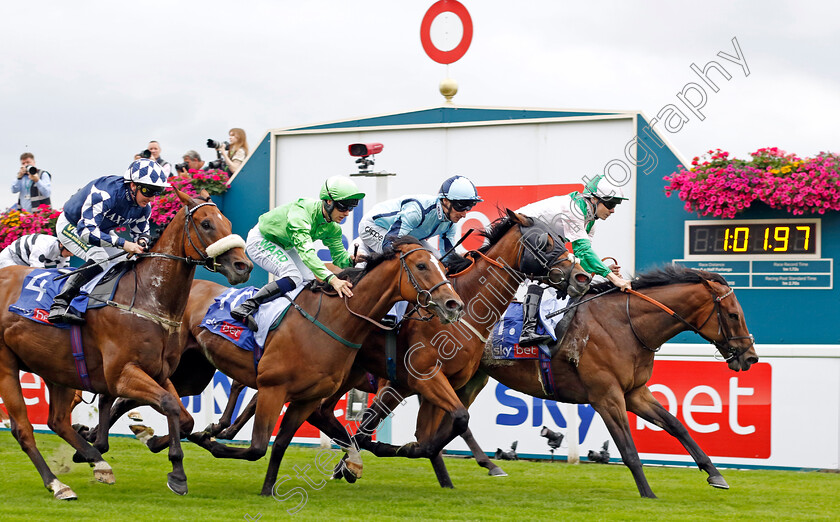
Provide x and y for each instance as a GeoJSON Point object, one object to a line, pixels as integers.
{"type": "Point", "coordinates": [130, 346]}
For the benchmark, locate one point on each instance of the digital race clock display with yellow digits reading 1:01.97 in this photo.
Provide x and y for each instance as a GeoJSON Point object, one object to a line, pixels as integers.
{"type": "Point", "coordinates": [753, 238]}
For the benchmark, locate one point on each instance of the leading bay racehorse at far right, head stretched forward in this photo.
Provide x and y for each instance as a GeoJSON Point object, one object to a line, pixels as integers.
{"type": "Point", "coordinates": [617, 336]}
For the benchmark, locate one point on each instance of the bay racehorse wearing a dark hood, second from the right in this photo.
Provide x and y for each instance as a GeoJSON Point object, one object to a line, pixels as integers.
{"type": "Point", "coordinates": [436, 359]}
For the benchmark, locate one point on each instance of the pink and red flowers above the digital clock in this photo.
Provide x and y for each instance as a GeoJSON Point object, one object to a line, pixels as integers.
{"type": "Point", "coordinates": [721, 186]}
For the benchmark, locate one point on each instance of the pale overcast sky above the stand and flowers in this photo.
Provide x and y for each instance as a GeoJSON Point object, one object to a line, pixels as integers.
{"type": "Point", "coordinates": [84, 85]}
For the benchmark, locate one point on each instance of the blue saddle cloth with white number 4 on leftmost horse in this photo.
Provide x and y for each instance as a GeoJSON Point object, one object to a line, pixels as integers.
{"type": "Point", "coordinates": [40, 288]}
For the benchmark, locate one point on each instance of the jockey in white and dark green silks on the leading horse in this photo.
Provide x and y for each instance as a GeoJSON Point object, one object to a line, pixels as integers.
{"type": "Point", "coordinates": [573, 216]}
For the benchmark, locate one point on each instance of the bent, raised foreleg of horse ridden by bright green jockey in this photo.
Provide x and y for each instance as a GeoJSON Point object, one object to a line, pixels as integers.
{"type": "Point", "coordinates": [270, 400]}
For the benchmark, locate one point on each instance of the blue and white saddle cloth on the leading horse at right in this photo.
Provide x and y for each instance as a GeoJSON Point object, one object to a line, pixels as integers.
{"type": "Point", "coordinates": [504, 337]}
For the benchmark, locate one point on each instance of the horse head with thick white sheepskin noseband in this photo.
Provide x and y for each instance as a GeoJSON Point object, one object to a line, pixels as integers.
{"type": "Point", "coordinates": [207, 239]}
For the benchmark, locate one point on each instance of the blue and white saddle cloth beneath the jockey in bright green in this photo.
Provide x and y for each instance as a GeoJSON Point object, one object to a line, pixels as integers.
{"type": "Point", "coordinates": [219, 321]}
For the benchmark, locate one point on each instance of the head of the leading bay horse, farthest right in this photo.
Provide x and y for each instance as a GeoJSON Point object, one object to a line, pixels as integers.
{"type": "Point", "coordinates": [731, 336]}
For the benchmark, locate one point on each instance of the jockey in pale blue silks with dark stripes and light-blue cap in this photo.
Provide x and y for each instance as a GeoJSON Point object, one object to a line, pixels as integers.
{"type": "Point", "coordinates": [421, 216]}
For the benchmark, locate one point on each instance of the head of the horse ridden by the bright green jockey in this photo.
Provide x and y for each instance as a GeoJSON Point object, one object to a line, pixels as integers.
{"type": "Point", "coordinates": [425, 281]}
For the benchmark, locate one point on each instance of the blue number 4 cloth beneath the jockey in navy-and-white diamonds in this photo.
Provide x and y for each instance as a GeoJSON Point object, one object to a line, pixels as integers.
{"type": "Point", "coordinates": [39, 290]}
